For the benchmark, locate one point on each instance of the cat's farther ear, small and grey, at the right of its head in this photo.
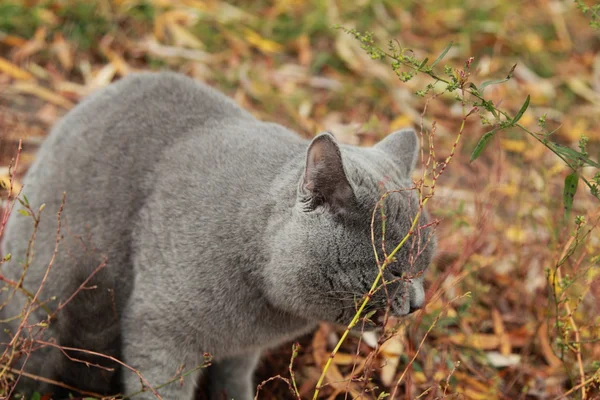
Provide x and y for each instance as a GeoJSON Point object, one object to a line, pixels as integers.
{"type": "Point", "coordinates": [403, 147]}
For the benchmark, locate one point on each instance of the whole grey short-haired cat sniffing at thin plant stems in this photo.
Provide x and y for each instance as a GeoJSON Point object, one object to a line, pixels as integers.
{"type": "Point", "coordinates": [221, 234]}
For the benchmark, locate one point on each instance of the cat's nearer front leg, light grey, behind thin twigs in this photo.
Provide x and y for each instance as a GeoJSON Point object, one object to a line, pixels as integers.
{"type": "Point", "coordinates": [150, 347]}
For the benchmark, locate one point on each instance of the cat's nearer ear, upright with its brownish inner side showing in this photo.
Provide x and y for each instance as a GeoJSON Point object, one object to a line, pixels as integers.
{"type": "Point", "coordinates": [324, 181]}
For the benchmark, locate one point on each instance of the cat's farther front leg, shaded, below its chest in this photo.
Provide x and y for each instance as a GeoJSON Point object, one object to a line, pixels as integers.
{"type": "Point", "coordinates": [232, 378]}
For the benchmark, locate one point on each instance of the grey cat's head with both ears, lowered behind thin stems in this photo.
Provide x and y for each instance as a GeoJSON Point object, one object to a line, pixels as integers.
{"type": "Point", "coordinates": [323, 256]}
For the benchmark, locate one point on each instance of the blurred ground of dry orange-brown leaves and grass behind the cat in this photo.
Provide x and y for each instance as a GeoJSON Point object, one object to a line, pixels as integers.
{"type": "Point", "coordinates": [524, 331]}
